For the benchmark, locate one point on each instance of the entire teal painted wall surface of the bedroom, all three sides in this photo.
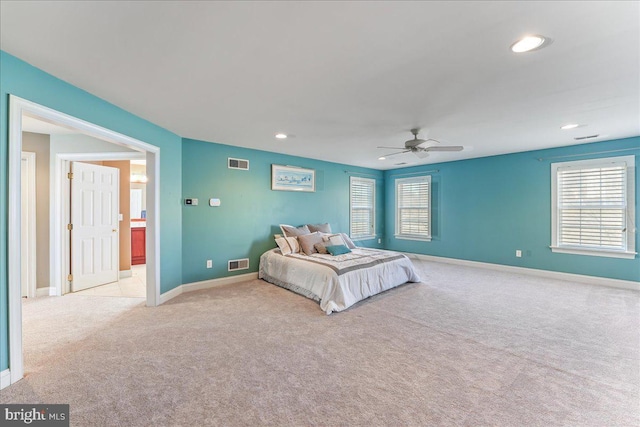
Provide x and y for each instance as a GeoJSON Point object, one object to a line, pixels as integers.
{"type": "Point", "coordinates": [484, 209]}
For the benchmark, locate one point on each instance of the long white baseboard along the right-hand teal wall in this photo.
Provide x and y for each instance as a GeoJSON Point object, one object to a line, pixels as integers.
{"type": "Point", "coordinates": [581, 278]}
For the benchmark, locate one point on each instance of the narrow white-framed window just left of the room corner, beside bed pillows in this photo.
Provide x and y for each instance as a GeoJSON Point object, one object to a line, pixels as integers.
{"type": "Point", "coordinates": [362, 203]}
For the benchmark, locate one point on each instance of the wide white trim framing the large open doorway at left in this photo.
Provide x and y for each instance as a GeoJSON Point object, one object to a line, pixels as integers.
{"type": "Point", "coordinates": [17, 107]}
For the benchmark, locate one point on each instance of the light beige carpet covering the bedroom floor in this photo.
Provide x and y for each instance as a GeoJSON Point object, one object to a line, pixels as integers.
{"type": "Point", "coordinates": [467, 347]}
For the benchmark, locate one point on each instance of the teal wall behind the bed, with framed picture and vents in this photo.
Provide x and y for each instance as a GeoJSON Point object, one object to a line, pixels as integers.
{"type": "Point", "coordinates": [249, 214]}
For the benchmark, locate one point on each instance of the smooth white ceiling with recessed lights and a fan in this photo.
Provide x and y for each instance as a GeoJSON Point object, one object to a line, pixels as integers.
{"type": "Point", "coordinates": [345, 77]}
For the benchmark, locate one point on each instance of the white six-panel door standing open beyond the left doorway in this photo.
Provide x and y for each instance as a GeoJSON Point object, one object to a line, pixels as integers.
{"type": "Point", "coordinates": [94, 219]}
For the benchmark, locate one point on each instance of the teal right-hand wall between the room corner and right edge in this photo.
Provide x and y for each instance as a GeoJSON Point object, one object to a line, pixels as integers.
{"type": "Point", "coordinates": [484, 209]}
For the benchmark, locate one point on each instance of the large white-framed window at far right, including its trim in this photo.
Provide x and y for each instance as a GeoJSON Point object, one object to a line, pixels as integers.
{"type": "Point", "coordinates": [593, 207]}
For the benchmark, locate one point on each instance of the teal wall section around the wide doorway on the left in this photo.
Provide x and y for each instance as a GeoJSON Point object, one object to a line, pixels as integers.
{"type": "Point", "coordinates": [25, 81]}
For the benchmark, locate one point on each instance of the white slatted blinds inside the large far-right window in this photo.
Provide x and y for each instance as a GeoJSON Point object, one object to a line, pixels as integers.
{"type": "Point", "coordinates": [592, 206]}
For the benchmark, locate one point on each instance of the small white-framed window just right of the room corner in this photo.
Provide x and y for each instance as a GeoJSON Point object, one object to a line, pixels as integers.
{"type": "Point", "coordinates": [413, 208]}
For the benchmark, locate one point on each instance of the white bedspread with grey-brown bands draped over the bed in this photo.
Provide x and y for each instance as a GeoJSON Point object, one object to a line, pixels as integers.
{"type": "Point", "coordinates": [337, 282]}
